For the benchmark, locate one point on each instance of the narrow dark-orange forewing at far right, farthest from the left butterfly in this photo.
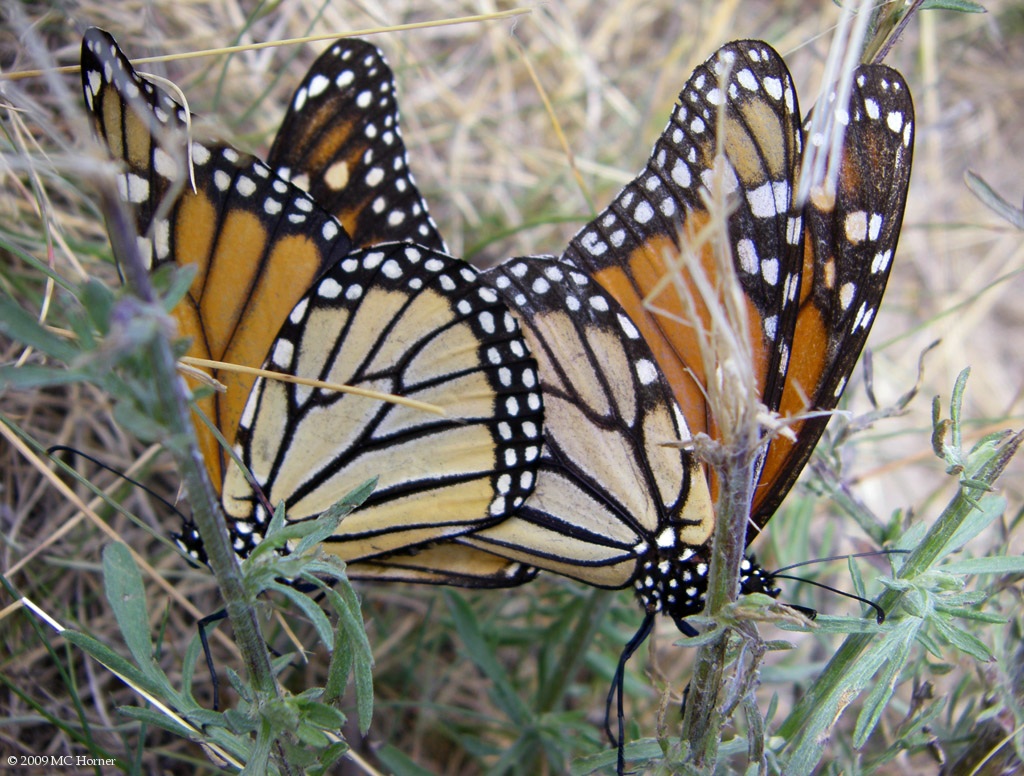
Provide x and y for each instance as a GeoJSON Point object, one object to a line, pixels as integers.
{"type": "Point", "coordinates": [849, 246]}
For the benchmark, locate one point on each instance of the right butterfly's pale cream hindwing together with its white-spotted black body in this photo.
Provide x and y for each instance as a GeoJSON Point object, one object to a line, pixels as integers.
{"type": "Point", "coordinates": [614, 505]}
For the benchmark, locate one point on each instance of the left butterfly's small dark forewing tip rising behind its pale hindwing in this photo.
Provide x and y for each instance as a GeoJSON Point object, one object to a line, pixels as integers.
{"type": "Point", "coordinates": [342, 142]}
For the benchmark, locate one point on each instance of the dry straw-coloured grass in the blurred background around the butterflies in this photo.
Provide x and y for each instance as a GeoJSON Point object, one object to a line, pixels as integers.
{"type": "Point", "coordinates": [489, 161]}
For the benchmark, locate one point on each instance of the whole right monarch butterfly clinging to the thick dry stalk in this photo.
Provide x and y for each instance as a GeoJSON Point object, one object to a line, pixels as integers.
{"type": "Point", "coordinates": [612, 506]}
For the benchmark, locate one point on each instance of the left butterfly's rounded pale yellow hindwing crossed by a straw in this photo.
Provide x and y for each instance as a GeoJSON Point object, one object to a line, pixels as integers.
{"type": "Point", "coordinates": [401, 320]}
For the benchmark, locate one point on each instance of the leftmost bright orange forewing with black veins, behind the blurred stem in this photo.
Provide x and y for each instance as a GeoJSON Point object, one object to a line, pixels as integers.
{"type": "Point", "coordinates": [258, 243]}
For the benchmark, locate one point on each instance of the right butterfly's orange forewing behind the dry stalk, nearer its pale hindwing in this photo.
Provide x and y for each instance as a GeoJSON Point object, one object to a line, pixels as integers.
{"type": "Point", "coordinates": [741, 105]}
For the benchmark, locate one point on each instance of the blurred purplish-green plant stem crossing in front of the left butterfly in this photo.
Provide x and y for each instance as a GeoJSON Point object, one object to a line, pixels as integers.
{"type": "Point", "coordinates": [206, 512]}
